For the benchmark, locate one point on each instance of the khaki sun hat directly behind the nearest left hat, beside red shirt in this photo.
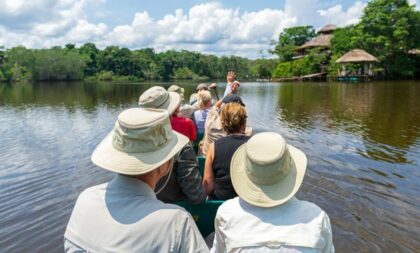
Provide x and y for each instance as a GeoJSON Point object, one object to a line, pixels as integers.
{"type": "Point", "coordinates": [158, 97]}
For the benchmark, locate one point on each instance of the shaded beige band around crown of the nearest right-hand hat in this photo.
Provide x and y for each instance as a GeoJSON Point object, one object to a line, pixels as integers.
{"type": "Point", "coordinates": [268, 174]}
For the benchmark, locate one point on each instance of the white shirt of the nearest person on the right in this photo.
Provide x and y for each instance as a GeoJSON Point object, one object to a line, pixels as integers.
{"type": "Point", "coordinates": [295, 226]}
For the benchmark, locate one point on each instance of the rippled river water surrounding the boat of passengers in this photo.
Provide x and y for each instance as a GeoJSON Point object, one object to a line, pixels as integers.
{"type": "Point", "coordinates": [362, 142]}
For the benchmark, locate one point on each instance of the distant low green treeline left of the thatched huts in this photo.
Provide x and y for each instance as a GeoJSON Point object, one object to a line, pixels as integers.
{"type": "Point", "coordinates": [115, 63]}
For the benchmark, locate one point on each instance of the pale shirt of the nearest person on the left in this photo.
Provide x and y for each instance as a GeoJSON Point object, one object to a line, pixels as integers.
{"type": "Point", "coordinates": [125, 216]}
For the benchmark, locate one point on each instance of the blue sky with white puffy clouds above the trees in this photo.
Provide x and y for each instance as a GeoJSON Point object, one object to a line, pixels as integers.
{"type": "Point", "coordinates": [225, 27]}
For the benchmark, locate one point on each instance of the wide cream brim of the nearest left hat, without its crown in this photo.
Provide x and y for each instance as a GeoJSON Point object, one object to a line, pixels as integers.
{"type": "Point", "coordinates": [109, 158]}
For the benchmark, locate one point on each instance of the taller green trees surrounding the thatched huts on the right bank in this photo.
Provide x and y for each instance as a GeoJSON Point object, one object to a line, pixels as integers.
{"type": "Point", "coordinates": [388, 29]}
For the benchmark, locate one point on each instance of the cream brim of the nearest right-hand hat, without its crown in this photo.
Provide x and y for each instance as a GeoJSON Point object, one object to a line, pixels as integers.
{"type": "Point", "coordinates": [267, 195]}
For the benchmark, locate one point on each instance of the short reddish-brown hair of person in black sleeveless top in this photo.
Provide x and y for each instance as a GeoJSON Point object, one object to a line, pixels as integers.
{"type": "Point", "coordinates": [233, 118]}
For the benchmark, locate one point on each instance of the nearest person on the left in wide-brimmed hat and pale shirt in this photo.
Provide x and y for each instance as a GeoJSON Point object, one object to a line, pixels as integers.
{"type": "Point", "coordinates": [124, 215]}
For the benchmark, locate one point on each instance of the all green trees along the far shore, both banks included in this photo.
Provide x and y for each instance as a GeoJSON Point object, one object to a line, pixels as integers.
{"type": "Point", "coordinates": [388, 29]}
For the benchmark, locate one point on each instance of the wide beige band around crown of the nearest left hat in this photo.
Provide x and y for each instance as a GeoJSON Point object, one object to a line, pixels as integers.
{"type": "Point", "coordinates": [142, 140]}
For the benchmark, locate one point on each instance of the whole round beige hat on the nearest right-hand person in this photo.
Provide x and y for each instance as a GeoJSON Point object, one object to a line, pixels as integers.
{"type": "Point", "coordinates": [266, 171]}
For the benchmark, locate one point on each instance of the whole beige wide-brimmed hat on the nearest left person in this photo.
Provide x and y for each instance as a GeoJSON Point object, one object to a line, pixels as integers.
{"type": "Point", "coordinates": [141, 141]}
